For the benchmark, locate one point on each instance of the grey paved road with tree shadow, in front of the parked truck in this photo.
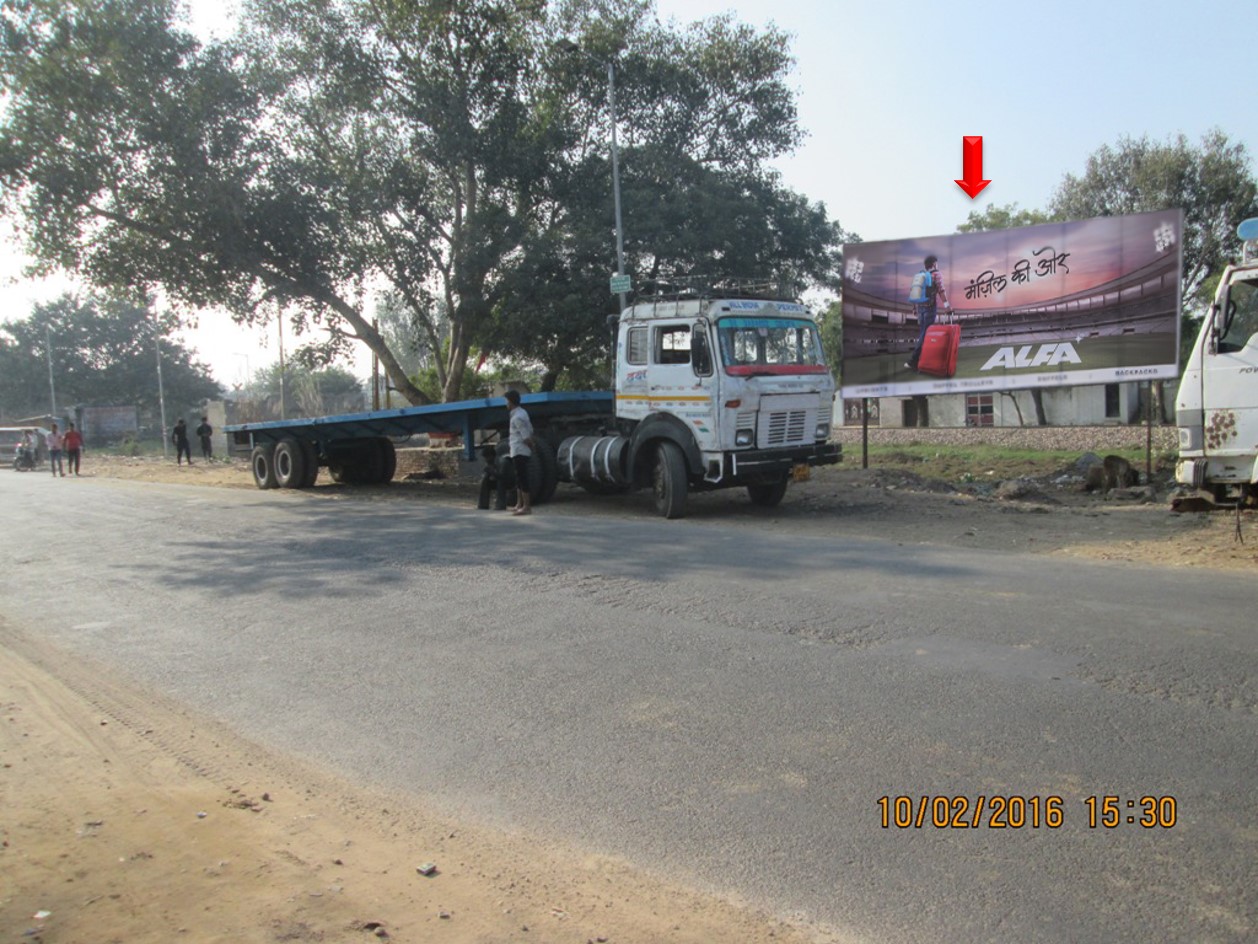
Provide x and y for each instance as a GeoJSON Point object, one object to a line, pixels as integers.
{"type": "Point", "coordinates": [719, 704]}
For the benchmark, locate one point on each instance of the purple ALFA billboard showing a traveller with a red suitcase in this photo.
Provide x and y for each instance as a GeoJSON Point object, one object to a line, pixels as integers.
{"type": "Point", "coordinates": [1056, 305]}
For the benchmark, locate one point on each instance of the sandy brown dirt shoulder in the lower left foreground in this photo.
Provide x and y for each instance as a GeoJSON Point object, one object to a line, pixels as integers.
{"type": "Point", "coordinates": [128, 819]}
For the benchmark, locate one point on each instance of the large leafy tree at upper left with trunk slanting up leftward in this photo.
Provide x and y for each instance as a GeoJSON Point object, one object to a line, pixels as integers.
{"type": "Point", "coordinates": [172, 172]}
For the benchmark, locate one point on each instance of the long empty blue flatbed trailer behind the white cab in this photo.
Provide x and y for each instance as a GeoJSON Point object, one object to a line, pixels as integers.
{"type": "Point", "coordinates": [359, 449]}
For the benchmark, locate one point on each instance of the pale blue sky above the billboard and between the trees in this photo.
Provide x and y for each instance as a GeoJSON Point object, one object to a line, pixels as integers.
{"type": "Point", "coordinates": [889, 89]}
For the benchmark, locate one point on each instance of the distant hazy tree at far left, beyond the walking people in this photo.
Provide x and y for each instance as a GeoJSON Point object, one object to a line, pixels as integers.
{"type": "Point", "coordinates": [104, 354]}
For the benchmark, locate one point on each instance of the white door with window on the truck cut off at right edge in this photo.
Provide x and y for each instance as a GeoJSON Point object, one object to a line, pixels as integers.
{"type": "Point", "coordinates": [1230, 376]}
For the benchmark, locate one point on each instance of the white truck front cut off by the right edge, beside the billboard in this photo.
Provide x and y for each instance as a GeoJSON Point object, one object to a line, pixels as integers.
{"type": "Point", "coordinates": [1217, 407]}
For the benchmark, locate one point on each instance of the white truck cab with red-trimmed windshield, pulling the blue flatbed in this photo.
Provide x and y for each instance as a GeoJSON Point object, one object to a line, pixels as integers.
{"type": "Point", "coordinates": [713, 393]}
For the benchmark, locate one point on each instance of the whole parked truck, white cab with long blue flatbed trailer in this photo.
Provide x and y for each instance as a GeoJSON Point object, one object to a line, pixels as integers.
{"type": "Point", "coordinates": [713, 390]}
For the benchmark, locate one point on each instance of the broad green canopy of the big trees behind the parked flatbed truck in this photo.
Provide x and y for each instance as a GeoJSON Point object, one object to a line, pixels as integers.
{"type": "Point", "coordinates": [448, 153]}
